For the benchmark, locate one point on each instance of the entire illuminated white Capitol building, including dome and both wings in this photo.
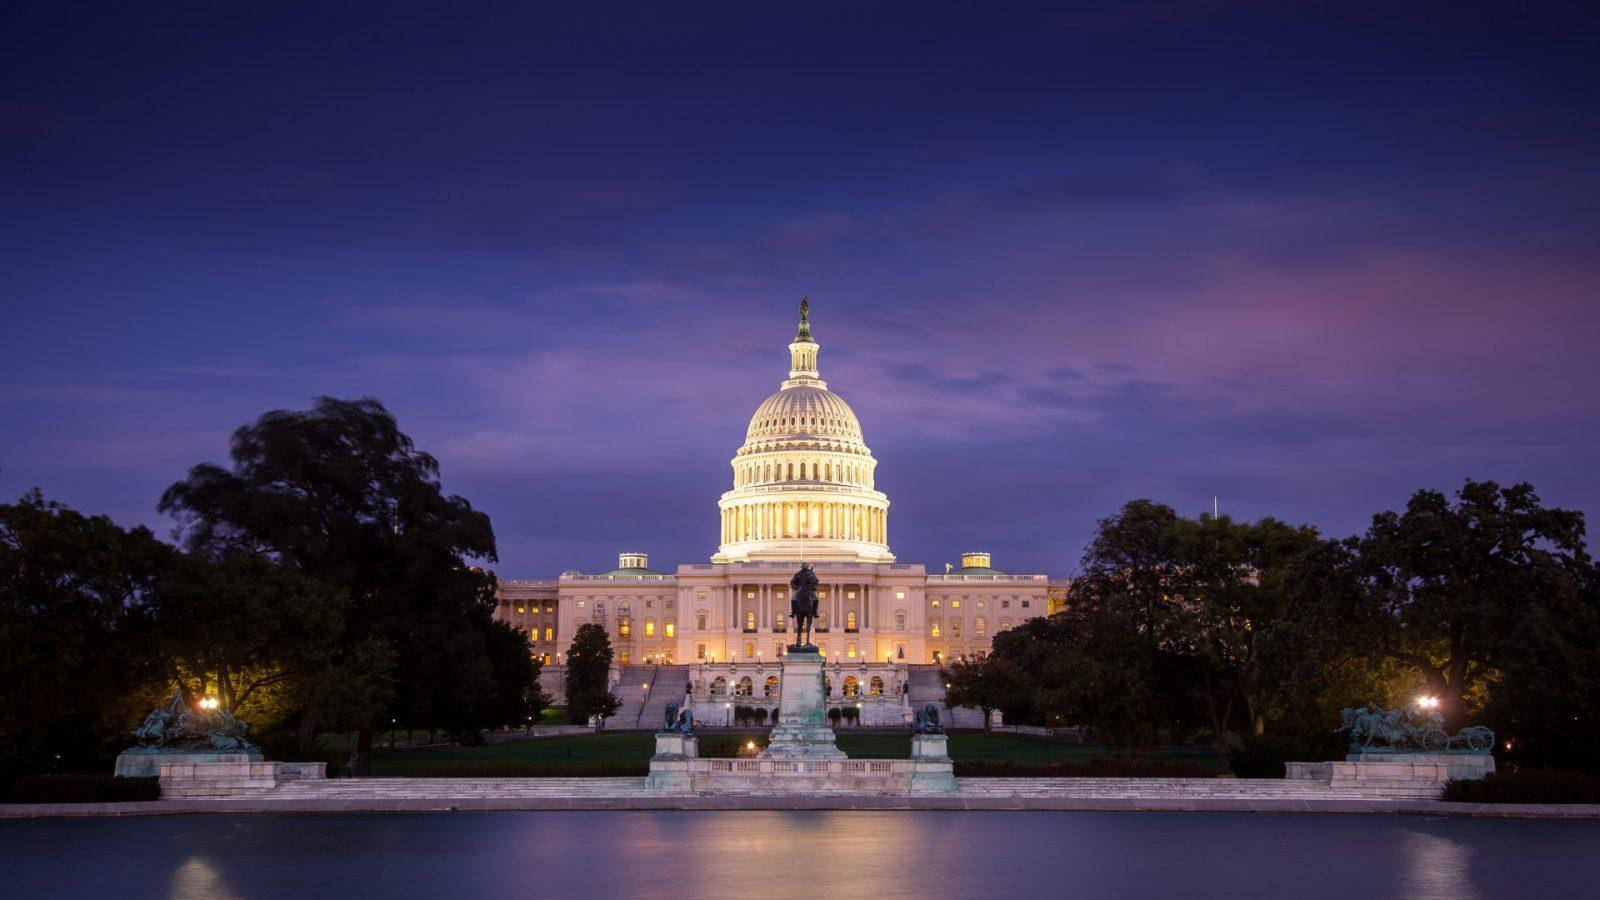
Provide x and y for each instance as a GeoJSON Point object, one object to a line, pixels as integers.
{"type": "Point", "coordinates": [804, 489]}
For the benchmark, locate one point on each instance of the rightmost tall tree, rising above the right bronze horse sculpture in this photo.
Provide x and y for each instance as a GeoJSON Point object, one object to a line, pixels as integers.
{"type": "Point", "coordinates": [1447, 585]}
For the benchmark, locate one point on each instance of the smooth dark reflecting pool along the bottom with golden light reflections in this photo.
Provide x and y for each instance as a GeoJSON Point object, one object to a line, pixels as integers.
{"type": "Point", "coordinates": [842, 854]}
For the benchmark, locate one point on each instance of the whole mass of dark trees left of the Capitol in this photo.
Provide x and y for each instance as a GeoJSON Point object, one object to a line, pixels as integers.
{"type": "Point", "coordinates": [322, 585]}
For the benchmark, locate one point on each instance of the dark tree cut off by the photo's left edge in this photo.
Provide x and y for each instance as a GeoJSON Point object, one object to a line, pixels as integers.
{"type": "Point", "coordinates": [81, 662]}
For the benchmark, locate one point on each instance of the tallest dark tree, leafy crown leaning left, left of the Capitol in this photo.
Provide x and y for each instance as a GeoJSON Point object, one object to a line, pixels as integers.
{"type": "Point", "coordinates": [343, 496]}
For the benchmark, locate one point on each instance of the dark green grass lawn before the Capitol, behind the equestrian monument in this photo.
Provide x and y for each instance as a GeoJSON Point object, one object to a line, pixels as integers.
{"type": "Point", "coordinates": [586, 752]}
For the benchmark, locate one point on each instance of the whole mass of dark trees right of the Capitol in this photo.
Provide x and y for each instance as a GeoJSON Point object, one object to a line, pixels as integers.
{"type": "Point", "coordinates": [1252, 637]}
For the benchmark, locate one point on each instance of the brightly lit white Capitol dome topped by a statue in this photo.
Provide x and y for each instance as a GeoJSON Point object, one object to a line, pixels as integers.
{"type": "Point", "coordinates": [802, 481]}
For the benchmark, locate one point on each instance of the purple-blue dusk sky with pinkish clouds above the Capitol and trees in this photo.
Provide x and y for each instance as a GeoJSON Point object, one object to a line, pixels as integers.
{"type": "Point", "coordinates": [1302, 259]}
